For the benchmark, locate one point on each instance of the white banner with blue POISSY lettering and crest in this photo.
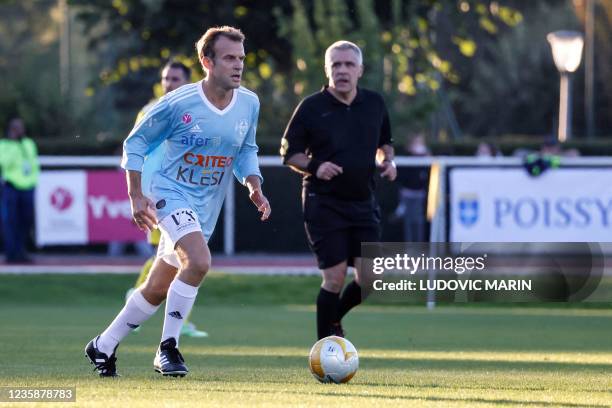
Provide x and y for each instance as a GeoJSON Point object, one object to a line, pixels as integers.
{"type": "Point", "coordinates": [508, 205]}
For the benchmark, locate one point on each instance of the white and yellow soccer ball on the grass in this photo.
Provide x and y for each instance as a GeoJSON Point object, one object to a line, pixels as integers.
{"type": "Point", "coordinates": [333, 359]}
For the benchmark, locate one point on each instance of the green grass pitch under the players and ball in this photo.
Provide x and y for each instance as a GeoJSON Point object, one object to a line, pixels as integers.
{"type": "Point", "coordinates": [262, 329]}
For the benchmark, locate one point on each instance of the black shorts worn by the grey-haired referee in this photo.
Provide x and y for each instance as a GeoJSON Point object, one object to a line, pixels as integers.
{"type": "Point", "coordinates": [336, 228]}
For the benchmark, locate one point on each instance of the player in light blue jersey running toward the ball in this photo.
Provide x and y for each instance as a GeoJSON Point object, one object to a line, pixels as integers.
{"type": "Point", "coordinates": [208, 131]}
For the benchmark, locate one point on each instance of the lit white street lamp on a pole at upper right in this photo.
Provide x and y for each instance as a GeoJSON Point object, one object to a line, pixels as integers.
{"type": "Point", "coordinates": [567, 53]}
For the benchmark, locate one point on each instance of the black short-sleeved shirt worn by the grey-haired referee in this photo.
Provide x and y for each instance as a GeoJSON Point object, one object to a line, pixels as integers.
{"type": "Point", "coordinates": [348, 135]}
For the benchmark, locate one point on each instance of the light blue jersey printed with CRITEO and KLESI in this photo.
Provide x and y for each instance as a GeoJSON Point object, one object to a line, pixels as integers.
{"type": "Point", "coordinates": [198, 145]}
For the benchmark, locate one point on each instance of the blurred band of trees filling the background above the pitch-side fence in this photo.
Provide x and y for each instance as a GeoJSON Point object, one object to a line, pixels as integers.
{"type": "Point", "coordinates": [430, 58]}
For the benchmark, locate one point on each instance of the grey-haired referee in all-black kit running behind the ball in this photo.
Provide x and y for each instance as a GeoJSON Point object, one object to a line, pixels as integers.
{"type": "Point", "coordinates": [336, 138]}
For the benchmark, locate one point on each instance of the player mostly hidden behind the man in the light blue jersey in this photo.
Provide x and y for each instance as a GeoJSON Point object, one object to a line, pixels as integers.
{"type": "Point", "coordinates": [174, 75]}
